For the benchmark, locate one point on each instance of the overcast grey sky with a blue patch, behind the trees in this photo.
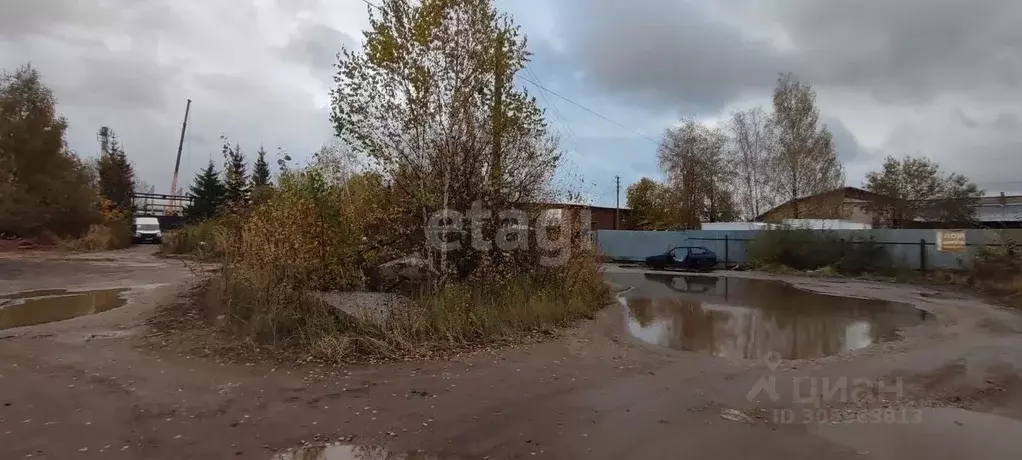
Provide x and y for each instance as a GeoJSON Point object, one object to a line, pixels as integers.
{"type": "Point", "coordinates": [938, 78]}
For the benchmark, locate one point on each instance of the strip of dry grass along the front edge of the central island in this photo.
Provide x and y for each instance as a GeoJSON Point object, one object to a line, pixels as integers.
{"type": "Point", "coordinates": [458, 317]}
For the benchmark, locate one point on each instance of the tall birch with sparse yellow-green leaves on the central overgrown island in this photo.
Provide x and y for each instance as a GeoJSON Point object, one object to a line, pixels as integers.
{"type": "Point", "coordinates": [432, 103]}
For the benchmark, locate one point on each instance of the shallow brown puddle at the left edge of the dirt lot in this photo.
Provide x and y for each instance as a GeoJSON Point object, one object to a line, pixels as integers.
{"type": "Point", "coordinates": [38, 307]}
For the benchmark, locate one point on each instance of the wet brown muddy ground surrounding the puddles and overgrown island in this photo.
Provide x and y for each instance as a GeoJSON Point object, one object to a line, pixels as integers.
{"type": "Point", "coordinates": [102, 387]}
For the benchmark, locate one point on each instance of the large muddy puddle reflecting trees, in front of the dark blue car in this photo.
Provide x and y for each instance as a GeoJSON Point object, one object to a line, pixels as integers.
{"type": "Point", "coordinates": [749, 318]}
